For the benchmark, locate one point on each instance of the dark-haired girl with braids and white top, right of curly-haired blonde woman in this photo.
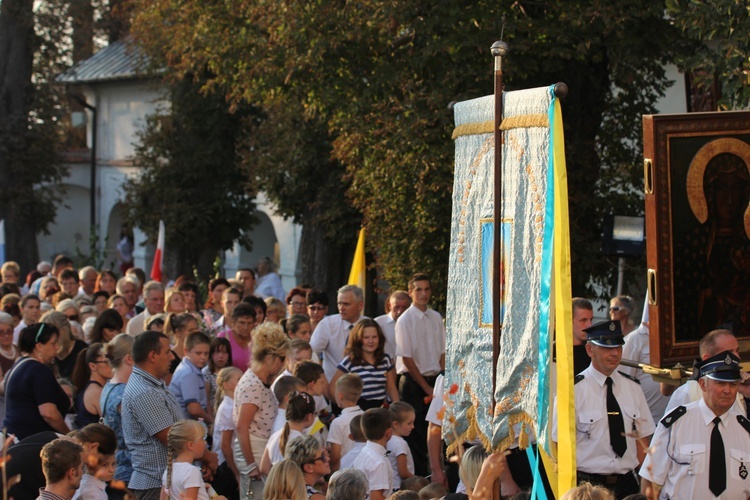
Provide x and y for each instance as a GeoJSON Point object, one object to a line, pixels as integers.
{"type": "Point", "coordinates": [300, 414]}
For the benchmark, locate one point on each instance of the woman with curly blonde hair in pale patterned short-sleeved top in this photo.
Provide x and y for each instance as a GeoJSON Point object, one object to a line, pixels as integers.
{"type": "Point", "coordinates": [255, 405]}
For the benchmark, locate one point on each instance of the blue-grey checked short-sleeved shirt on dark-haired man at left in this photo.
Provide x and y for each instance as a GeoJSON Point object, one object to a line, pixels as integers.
{"type": "Point", "coordinates": [147, 409]}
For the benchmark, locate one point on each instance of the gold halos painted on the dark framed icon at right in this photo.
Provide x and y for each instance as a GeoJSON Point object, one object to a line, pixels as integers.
{"type": "Point", "coordinates": [694, 188]}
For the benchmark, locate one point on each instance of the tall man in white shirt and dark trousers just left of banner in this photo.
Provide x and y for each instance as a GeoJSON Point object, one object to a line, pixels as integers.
{"type": "Point", "coordinates": [420, 347]}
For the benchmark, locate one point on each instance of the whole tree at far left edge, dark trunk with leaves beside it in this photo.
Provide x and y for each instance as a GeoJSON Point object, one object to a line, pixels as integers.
{"type": "Point", "coordinates": [30, 111]}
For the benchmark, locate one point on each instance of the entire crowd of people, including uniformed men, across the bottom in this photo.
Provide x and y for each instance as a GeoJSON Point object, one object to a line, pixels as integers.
{"type": "Point", "coordinates": [123, 386]}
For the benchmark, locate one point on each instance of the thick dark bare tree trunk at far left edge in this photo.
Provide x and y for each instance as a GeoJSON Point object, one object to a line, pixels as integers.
{"type": "Point", "coordinates": [16, 58]}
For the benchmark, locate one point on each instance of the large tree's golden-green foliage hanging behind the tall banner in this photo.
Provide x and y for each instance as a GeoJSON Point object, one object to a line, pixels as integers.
{"type": "Point", "coordinates": [378, 77]}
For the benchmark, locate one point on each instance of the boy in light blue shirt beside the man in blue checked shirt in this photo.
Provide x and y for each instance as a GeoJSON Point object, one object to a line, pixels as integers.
{"type": "Point", "coordinates": [187, 383]}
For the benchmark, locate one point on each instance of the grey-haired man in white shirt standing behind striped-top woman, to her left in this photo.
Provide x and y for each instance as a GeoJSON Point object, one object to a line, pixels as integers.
{"type": "Point", "coordinates": [332, 333]}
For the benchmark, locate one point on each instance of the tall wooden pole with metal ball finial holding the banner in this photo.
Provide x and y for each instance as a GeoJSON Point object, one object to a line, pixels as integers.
{"type": "Point", "coordinates": [499, 50]}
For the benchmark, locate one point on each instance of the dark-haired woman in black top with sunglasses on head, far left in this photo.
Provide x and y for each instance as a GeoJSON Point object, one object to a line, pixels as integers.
{"type": "Point", "coordinates": [38, 403]}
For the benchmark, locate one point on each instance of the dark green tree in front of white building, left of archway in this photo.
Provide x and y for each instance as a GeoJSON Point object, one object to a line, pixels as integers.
{"type": "Point", "coordinates": [191, 177]}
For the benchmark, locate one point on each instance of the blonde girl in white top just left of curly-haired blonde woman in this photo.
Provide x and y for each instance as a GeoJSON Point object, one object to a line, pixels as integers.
{"type": "Point", "coordinates": [223, 432]}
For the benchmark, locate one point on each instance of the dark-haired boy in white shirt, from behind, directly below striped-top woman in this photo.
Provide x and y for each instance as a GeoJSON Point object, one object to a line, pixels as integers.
{"type": "Point", "coordinates": [376, 426]}
